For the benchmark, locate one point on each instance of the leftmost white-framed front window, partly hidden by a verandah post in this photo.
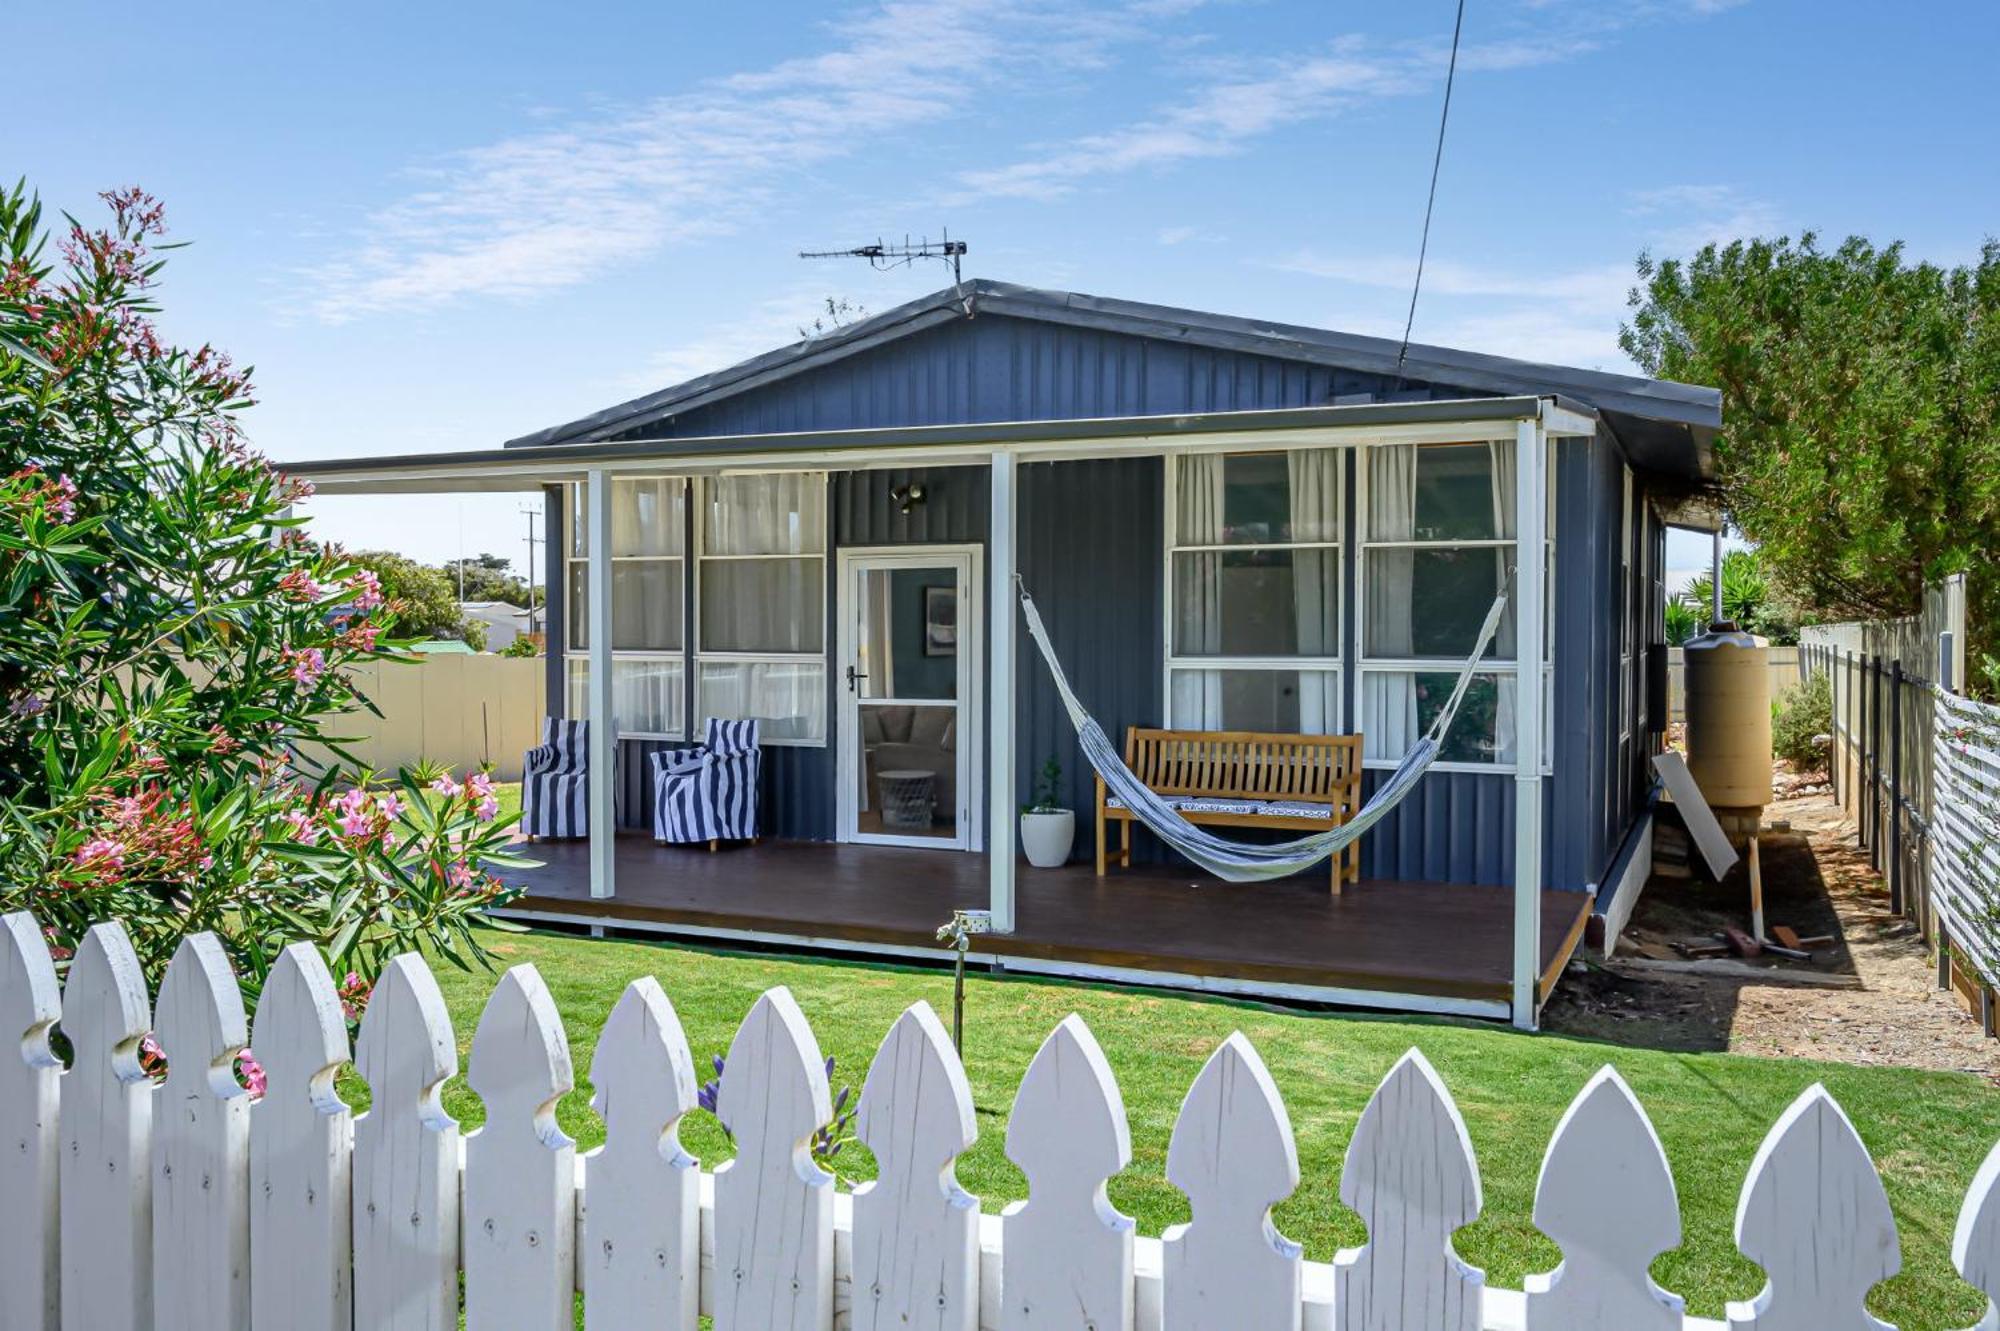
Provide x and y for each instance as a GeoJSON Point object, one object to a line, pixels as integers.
{"type": "Point", "coordinates": [649, 607]}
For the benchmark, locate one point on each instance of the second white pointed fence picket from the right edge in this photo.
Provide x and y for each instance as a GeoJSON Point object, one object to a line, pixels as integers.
{"type": "Point", "coordinates": [1815, 1216]}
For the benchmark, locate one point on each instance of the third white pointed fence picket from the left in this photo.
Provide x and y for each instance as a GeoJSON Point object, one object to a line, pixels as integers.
{"type": "Point", "coordinates": [201, 1146]}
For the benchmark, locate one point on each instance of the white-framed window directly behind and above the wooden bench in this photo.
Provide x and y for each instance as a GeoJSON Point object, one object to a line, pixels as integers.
{"type": "Point", "coordinates": [1253, 591]}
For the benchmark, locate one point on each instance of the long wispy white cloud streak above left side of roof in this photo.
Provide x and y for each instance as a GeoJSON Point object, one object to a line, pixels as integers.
{"type": "Point", "coordinates": [559, 207]}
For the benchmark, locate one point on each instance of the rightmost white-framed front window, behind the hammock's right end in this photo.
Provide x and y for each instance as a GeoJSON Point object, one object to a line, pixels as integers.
{"type": "Point", "coordinates": [1437, 545]}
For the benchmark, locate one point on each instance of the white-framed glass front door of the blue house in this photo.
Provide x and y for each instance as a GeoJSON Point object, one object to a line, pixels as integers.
{"type": "Point", "coordinates": [909, 696]}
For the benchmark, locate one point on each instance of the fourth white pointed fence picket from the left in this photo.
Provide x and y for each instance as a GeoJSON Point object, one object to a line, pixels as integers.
{"type": "Point", "coordinates": [301, 1152]}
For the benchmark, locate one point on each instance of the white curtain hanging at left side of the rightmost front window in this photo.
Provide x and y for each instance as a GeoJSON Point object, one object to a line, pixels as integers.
{"type": "Point", "coordinates": [1389, 700]}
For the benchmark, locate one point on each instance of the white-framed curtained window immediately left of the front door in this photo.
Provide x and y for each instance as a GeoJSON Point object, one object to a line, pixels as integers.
{"type": "Point", "coordinates": [761, 603]}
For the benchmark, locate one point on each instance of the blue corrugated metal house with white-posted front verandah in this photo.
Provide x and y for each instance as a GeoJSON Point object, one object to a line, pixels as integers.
{"type": "Point", "coordinates": [1227, 527]}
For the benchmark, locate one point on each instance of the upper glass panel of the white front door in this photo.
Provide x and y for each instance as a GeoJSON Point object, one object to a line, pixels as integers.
{"type": "Point", "coordinates": [907, 633]}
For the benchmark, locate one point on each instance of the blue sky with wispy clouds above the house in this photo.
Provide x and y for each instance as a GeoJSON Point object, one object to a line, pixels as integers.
{"type": "Point", "coordinates": [439, 229]}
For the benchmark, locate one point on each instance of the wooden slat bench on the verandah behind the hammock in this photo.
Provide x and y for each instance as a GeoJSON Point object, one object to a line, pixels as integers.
{"type": "Point", "coordinates": [1239, 778]}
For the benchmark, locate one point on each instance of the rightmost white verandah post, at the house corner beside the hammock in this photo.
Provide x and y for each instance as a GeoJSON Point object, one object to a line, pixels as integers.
{"type": "Point", "coordinates": [1531, 557]}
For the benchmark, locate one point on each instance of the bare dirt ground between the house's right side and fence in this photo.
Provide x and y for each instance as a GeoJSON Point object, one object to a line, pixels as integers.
{"type": "Point", "coordinates": [1867, 998]}
